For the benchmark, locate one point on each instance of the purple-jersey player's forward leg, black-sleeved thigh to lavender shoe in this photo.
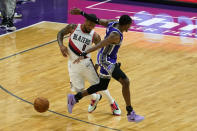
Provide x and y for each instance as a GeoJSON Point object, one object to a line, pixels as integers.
{"type": "Point", "coordinates": [120, 76]}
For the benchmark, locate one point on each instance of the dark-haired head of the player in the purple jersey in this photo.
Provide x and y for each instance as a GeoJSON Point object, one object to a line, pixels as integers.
{"type": "Point", "coordinates": [125, 22]}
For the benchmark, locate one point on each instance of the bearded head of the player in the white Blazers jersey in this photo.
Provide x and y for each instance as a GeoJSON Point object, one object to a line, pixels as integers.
{"type": "Point", "coordinates": [89, 25]}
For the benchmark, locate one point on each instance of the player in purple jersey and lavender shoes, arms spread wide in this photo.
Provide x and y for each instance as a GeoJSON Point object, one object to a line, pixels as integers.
{"type": "Point", "coordinates": [106, 59]}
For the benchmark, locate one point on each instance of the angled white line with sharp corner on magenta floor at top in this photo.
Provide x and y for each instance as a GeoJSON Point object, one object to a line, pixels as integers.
{"type": "Point", "coordinates": [90, 7]}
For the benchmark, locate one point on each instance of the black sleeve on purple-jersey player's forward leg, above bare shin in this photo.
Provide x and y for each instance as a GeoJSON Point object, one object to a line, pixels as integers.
{"type": "Point", "coordinates": [118, 73]}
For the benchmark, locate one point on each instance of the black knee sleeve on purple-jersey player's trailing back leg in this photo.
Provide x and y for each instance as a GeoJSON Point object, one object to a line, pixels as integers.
{"type": "Point", "coordinates": [102, 85]}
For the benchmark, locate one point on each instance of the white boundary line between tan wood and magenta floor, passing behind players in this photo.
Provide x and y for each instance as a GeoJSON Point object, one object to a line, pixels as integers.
{"type": "Point", "coordinates": [133, 31]}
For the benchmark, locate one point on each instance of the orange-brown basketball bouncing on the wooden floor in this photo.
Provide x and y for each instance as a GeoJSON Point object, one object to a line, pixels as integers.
{"type": "Point", "coordinates": [41, 104]}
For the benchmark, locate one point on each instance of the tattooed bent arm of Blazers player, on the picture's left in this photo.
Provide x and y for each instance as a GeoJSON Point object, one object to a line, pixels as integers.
{"type": "Point", "coordinates": [60, 36]}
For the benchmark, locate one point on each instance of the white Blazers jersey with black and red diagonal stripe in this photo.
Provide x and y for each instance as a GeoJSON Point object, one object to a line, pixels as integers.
{"type": "Point", "coordinates": [79, 42]}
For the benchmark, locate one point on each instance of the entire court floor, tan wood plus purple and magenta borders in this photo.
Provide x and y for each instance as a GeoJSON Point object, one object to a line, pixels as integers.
{"type": "Point", "coordinates": [158, 54]}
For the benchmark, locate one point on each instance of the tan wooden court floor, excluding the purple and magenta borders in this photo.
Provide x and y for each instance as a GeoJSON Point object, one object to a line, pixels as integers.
{"type": "Point", "coordinates": [163, 76]}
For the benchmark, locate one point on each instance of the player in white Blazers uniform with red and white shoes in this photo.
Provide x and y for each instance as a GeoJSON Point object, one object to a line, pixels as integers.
{"type": "Point", "coordinates": [81, 38]}
